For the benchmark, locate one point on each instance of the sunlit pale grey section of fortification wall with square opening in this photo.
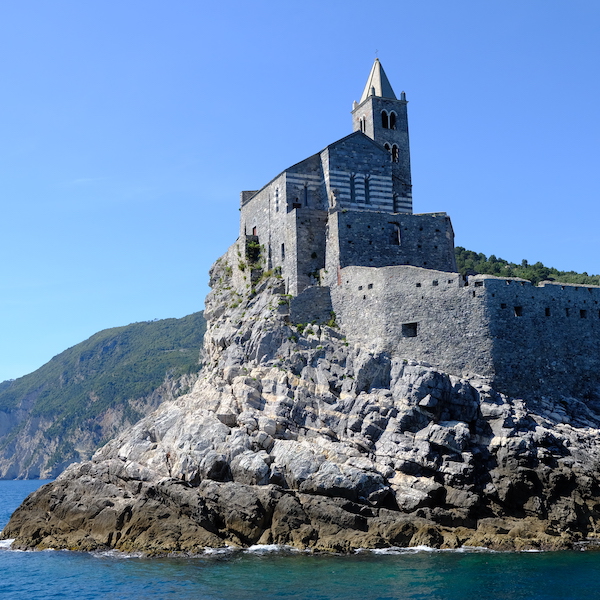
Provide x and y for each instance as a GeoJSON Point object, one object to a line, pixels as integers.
{"type": "Point", "coordinates": [416, 313]}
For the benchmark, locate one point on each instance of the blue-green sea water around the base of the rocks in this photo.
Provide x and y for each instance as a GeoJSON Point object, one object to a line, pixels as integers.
{"type": "Point", "coordinates": [269, 572]}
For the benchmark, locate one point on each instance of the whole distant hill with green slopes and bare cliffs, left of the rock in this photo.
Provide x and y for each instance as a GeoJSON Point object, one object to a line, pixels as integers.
{"type": "Point", "coordinates": [85, 395]}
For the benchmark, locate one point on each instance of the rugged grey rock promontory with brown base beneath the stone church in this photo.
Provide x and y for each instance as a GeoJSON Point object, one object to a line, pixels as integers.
{"type": "Point", "coordinates": [293, 436]}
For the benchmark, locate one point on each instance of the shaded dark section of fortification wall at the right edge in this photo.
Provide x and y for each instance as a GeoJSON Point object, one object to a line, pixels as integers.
{"type": "Point", "coordinates": [546, 338]}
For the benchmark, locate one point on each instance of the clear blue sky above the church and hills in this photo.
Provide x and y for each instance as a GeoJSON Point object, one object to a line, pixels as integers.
{"type": "Point", "coordinates": [129, 128]}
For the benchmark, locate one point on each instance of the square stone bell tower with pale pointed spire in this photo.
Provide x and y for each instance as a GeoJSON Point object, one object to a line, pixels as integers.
{"type": "Point", "coordinates": [382, 117]}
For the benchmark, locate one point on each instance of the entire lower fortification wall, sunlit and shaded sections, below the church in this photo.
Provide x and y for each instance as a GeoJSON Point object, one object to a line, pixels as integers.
{"type": "Point", "coordinates": [529, 341]}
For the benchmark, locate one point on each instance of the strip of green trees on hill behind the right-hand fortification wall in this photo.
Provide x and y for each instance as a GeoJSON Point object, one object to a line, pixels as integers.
{"type": "Point", "coordinates": [469, 262]}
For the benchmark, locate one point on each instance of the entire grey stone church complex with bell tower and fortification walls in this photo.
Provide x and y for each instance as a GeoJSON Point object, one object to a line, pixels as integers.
{"type": "Point", "coordinates": [339, 226]}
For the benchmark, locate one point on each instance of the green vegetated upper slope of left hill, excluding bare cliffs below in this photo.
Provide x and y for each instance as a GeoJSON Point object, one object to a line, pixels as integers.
{"type": "Point", "coordinates": [107, 371]}
